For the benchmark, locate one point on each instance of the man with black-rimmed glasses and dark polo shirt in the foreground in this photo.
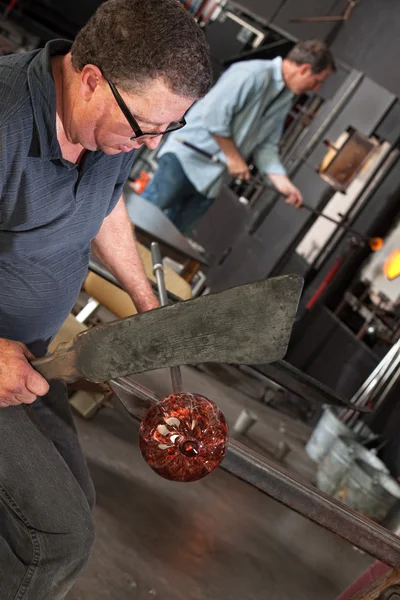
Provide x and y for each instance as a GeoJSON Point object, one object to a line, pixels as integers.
{"type": "Point", "coordinates": [71, 116]}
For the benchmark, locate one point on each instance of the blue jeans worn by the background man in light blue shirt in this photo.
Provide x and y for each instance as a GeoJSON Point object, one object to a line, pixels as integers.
{"type": "Point", "coordinates": [173, 192]}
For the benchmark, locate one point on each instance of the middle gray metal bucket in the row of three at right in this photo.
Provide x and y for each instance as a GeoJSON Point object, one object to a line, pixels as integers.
{"type": "Point", "coordinates": [336, 463]}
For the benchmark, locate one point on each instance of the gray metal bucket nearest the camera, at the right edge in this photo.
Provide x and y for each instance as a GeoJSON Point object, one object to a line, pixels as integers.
{"type": "Point", "coordinates": [369, 491]}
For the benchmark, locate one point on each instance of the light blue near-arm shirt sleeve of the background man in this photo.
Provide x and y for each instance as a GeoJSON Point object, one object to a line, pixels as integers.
{"type": "Point", "coordinates": [235, 89]}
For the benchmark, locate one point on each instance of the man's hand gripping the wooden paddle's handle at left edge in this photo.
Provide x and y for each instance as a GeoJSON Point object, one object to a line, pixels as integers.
{"type": "Point", "coordinates": [19, 382]}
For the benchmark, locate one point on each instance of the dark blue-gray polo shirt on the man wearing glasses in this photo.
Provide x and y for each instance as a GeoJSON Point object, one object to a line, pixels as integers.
{"type": "Point", "coordinates": [50, 209]}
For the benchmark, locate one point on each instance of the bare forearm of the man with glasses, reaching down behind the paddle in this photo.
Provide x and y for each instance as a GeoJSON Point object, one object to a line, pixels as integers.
{"type": "Point", "coordinates": [115, 247]}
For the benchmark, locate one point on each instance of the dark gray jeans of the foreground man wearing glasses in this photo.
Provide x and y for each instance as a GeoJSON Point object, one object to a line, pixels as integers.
{"type": "Point", "coordinates": [46, 496]}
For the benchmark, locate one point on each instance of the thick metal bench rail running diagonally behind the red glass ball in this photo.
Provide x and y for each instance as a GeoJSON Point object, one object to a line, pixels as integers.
{"type": "Point", "coordinates": [279, 484]}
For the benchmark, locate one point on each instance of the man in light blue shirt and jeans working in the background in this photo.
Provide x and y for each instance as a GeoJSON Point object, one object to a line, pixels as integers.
{"type": "Point", "coordinates": [241, 117]}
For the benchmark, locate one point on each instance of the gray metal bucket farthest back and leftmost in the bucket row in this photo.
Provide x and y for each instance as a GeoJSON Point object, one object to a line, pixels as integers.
{"type": "Point", "coordinates": [325, 433]}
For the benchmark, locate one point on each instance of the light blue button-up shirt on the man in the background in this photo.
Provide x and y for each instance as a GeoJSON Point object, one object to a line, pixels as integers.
{"type": "Point", "coordinates": [248, 104]}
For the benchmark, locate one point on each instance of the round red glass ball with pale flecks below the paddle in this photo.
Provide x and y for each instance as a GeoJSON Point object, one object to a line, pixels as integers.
{"type": "Point", "coordinates": [183, 437]}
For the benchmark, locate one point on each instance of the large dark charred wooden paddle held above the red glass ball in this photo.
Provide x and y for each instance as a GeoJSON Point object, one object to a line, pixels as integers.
{"type": "Point", "coordinates": [246, 325]}
